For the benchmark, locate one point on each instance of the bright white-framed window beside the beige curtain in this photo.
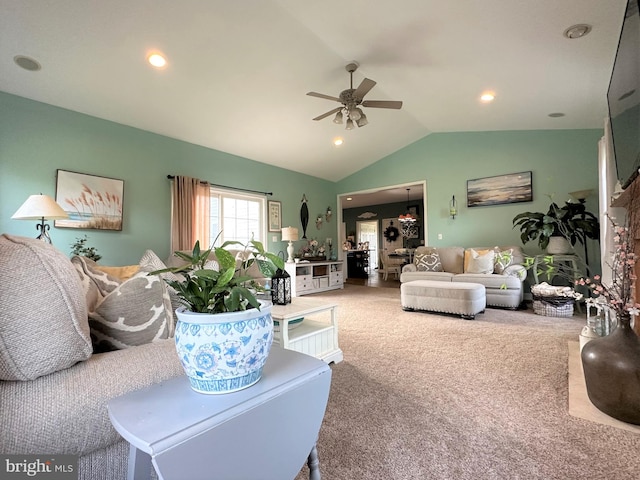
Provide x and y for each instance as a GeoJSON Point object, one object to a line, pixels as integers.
{"type": "Point", "coordinates": [239, 216]}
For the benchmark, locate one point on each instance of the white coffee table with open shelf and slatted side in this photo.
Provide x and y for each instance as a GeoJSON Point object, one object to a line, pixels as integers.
{"type": "Point", "coordinates": [316, 335]}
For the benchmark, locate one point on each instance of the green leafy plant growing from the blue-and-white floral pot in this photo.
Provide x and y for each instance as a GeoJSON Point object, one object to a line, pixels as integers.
{"type": "Point", "coordinates": [228, 289]}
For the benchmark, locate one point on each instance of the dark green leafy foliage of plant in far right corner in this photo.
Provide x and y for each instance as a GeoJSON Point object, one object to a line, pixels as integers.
{"type": "Point", "coordinates": [571, 221]}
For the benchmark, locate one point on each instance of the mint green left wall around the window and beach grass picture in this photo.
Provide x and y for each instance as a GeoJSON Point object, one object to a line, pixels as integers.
{"type": "Point", "coordinates": [36, 139]}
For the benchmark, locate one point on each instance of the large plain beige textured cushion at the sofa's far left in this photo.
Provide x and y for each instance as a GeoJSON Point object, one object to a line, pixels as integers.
{"type": "Point", "coordinates": [43, 314]}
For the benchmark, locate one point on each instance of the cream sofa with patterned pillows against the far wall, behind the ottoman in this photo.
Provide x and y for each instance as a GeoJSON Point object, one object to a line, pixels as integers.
{"type": "Point", "coordinates": [503, 289]}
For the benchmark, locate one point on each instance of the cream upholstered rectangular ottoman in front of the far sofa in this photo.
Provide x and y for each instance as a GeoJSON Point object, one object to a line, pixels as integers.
{"type": "Point", "coordinates": [460, 298]}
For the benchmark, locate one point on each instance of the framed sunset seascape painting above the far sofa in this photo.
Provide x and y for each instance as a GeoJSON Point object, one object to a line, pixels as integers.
{"type": "Point", "coordinates": [510, 188]}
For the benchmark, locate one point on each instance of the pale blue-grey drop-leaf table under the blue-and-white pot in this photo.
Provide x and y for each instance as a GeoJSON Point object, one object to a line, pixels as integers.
{"type": "Point", "coordinates": [265, 431]}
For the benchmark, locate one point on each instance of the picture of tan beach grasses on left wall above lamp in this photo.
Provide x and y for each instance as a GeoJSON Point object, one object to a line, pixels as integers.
{"type": "Point", "coordinates": [92, 202]}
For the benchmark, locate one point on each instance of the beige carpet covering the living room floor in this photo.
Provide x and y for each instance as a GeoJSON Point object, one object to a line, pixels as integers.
{"type": "Point", "coordinates": [422, 396]}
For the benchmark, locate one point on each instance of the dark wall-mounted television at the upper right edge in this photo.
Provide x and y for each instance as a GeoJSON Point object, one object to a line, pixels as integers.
{"type": "Point", "coordinates": [623, 97]}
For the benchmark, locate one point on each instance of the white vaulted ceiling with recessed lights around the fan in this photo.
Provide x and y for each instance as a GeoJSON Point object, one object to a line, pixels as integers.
{"type": "Point", "coordinates": [239, 71]}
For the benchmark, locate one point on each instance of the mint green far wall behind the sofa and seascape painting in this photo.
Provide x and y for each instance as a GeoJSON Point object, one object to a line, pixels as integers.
{"type": "Point", "coordinates": [562, 161]}
